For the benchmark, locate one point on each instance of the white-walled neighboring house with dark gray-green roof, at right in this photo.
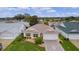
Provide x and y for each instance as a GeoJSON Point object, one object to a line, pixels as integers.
{"type": "Point", "coordinates": [69, 30]}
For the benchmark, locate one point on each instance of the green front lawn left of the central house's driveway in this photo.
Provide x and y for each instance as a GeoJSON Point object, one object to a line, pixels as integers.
{"type": "Point", "coordinates": [20, 45]}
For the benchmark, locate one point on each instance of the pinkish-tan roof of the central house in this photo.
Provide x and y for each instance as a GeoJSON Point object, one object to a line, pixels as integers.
{"type": "Point", "coordinates": [42, 28]}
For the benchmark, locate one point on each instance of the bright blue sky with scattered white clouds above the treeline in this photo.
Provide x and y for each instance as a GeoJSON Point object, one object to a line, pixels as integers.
{"type": "Point", "coordinates": [40, 11]}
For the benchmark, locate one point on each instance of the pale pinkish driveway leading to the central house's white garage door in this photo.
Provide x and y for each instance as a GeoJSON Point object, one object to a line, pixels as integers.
{"type": "Point", "coordinates": [52, 45]}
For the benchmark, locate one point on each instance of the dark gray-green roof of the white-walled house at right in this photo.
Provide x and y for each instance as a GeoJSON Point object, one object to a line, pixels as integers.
{"type": "Point", "coordinates": [69, 27]}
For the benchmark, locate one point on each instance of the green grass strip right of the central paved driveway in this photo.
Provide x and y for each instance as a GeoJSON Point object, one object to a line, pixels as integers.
{"type": "Point", "coordinates": [67, 45]}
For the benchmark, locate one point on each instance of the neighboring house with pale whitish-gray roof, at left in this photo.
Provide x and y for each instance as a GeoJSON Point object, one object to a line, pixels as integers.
{"type": "Point", "coordinates": [11, 30]}
